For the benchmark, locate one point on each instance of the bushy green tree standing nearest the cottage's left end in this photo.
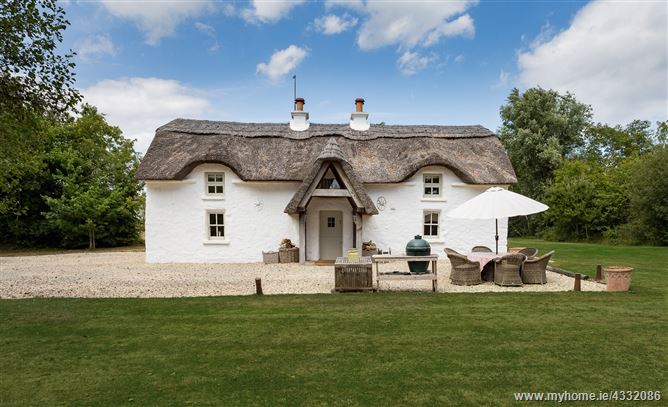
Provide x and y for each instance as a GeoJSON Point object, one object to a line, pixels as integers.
{"type": "Point", "coordinates": [95, 166]}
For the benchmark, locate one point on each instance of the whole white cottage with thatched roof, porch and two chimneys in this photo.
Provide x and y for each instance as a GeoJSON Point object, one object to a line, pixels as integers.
{"type": "Point", "coordinates": [224, 191]}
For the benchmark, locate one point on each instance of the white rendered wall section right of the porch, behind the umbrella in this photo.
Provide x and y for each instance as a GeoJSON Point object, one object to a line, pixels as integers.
{"type": "Point", "coordinates": [402, 217]}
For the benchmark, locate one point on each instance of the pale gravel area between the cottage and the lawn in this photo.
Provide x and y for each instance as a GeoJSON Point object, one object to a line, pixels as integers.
{"type": "Point", "coordinates": [125, 274]}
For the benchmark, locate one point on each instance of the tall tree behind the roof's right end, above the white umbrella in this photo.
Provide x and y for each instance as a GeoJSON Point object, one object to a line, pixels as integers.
{"type": "Point", "coordinates": [539, 129]}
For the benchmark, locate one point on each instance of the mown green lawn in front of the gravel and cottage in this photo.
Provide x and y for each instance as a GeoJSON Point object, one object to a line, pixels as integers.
{"type": "Point", "coordinates": [345, 349]}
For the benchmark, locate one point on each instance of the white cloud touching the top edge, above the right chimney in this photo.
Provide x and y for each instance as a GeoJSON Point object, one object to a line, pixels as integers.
{"type": "Point", "coordinates": [410, 24]}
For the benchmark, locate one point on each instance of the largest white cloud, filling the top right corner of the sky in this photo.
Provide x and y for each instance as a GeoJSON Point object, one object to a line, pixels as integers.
{"type": "Point", "coordinates": [613, 56]}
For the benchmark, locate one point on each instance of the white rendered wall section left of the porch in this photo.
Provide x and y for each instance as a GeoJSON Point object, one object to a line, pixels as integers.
{"type": "Point", "coordinates": [176, 219]}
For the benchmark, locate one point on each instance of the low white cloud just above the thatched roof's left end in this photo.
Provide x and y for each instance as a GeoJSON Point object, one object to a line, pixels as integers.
{"type": "Point", "coordinates": [140, 105]}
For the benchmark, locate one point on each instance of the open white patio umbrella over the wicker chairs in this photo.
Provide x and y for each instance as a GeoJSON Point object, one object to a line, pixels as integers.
{"type": "Point", "coordinates": [497, 203]}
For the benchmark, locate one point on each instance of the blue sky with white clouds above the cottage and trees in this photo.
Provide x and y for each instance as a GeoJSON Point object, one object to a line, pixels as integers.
{"type": "Point", "coordinates": [145, 63]}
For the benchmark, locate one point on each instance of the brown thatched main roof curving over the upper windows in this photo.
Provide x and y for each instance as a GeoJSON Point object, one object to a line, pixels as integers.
{"type": "Point", "coordinates": [273, 152]}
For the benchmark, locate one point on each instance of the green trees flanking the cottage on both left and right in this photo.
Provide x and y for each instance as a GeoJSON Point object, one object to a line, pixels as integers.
{"type": "Point", "coordinates": [68, 177]}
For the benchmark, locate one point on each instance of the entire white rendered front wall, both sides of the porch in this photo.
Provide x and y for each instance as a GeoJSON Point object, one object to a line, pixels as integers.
{"type": "Point", "coordinates": [176, 218]}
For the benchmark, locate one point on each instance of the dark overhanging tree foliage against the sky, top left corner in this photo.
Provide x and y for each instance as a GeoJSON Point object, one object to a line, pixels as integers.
{"type": "Point", "coordinates": [33, 77]}
